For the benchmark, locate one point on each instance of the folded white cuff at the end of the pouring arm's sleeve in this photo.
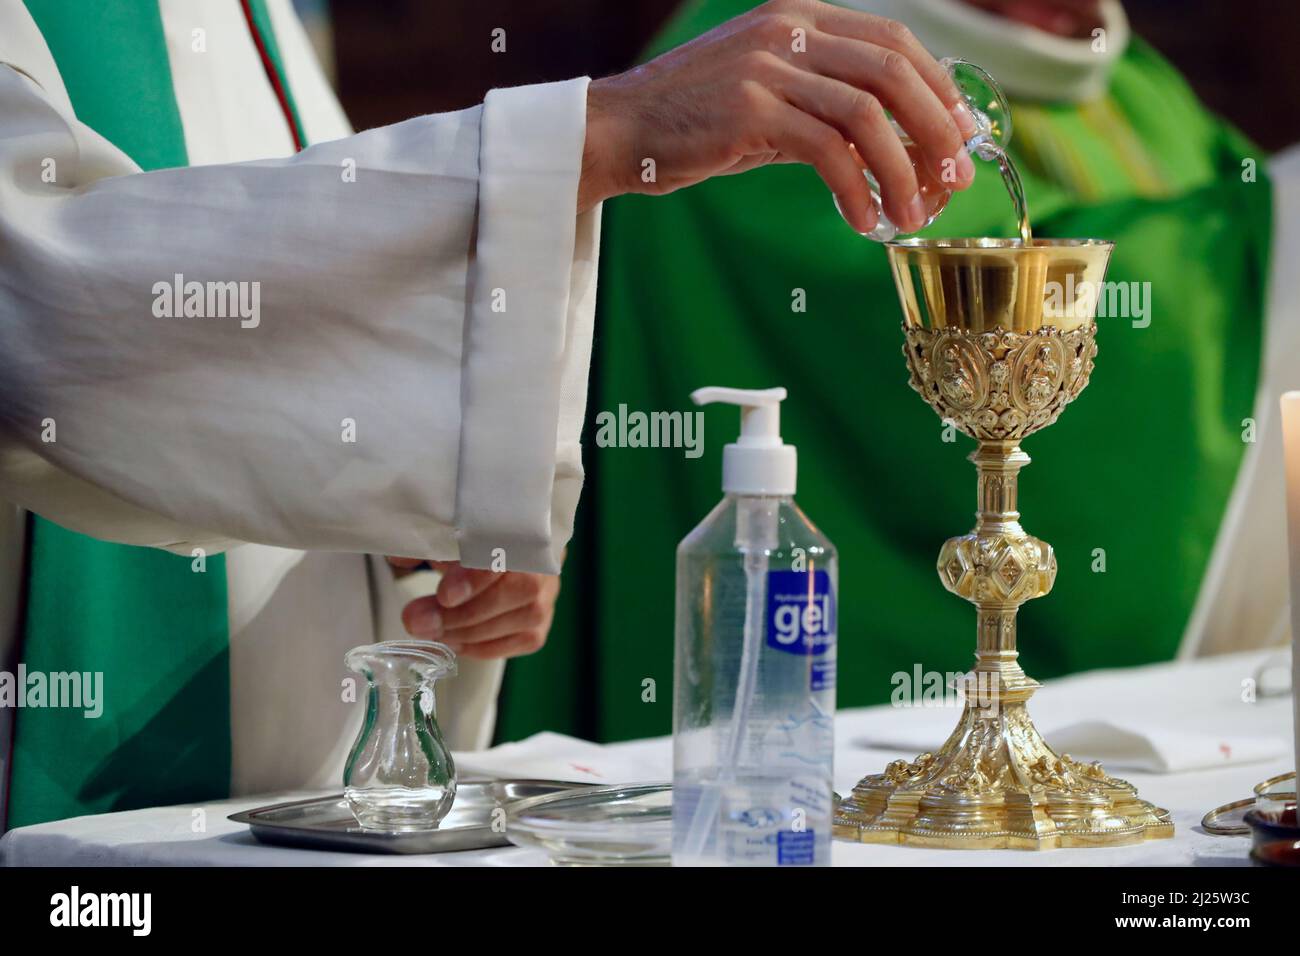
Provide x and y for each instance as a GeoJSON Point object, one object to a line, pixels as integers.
{"type": "Point", "coordinates": [528, 335]}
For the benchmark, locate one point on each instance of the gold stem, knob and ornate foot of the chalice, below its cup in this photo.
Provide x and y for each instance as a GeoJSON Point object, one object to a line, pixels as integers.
{"type": "Point", "coordinates": [996, 782]}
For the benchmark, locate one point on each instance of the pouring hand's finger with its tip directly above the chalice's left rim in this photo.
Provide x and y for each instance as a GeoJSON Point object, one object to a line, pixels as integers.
{"type": "Point", "coordinates": [860, 118]}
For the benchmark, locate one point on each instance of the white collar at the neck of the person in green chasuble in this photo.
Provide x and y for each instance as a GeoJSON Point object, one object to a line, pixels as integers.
{"type": "Point", "coordinates": [1029, 63]}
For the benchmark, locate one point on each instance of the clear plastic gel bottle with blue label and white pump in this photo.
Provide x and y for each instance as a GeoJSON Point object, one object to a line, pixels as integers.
{"type": "Point", "coordinates": [755, 674]}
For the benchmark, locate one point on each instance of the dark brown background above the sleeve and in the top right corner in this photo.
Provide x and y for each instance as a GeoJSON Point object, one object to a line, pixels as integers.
{"type": "Point", "coordinates": [398, 59]}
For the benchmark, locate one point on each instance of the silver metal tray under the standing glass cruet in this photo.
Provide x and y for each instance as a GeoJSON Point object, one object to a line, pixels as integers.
{"type": "Point", "coordinates": [328, 824]}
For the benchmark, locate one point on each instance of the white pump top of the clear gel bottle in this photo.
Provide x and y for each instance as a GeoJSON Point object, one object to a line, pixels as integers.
{"type": "Point", "coordinates": [757, 462]}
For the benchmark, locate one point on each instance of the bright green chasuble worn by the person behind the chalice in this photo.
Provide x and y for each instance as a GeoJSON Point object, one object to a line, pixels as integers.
{"type": "Point", "coordinates": [1130, 487]}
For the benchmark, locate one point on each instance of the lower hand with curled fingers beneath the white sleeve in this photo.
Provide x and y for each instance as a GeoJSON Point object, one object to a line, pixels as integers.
{"type": "Point", "coordinates": [483, 615]}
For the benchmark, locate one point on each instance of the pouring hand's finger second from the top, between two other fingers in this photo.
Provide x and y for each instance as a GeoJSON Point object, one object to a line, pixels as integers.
{"type": "Point", "coordinates": [895, 80]}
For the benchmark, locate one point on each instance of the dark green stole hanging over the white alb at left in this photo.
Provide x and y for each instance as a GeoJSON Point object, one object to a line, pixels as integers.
{"type": "Point", "coordinates": [154, 625]}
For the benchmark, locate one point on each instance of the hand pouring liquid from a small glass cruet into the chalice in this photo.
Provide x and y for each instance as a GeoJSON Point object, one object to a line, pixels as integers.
{"type": "Point", "coordinates": [792, 81]}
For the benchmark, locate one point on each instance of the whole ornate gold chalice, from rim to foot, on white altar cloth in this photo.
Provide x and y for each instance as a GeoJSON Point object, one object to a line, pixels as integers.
{"type": "Point", "coordinates": [1000, 339]}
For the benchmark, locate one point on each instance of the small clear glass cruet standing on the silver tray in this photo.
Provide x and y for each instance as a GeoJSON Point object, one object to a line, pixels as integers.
{"type": "Point", "coordinates": [400, 775]}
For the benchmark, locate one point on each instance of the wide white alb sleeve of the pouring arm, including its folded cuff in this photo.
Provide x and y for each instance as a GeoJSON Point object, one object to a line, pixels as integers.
{"type": "Point", "coordinates": [378, 345]}
